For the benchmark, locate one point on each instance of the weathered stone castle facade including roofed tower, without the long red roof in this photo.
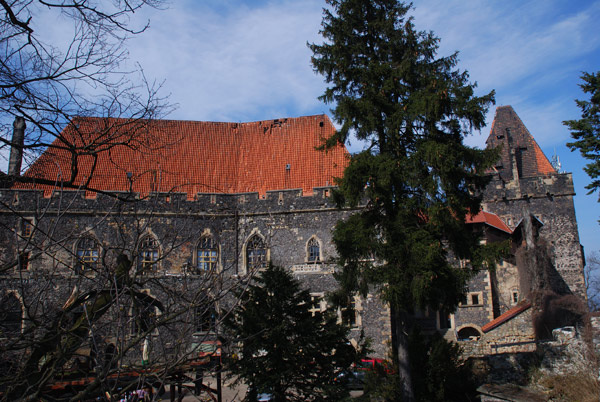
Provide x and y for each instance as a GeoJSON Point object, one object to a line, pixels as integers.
{"type": "Point", "coordinates": [292, 224]}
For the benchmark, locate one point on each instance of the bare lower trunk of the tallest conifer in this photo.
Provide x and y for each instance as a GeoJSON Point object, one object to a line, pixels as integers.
{"type": "Point", "coordinates": [400, 324]}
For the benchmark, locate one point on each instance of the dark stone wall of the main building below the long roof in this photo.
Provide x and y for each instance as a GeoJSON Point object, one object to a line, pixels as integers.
{"type": "Point", "coordinates": [285, 220]}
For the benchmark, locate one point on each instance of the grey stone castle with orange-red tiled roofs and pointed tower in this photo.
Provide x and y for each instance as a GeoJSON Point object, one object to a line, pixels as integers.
{"type": "Point", "coordinates": [197, 203]}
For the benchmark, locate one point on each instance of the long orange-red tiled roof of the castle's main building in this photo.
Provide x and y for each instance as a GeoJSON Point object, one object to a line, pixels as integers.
{"type": "Point", "coordinates": [192, 157]}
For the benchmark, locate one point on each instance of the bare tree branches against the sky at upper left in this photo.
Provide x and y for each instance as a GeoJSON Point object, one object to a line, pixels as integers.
{"type": "Point", "coordinates": [49, 82]}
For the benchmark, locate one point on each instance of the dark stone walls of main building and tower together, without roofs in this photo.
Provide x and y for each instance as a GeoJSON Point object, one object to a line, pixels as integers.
{"type": "Point", "coordinates": [285, 220]}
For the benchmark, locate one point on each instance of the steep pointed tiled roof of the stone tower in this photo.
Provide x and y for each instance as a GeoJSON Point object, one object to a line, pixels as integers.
{"type": "Point", "coordinates": [509, 132]}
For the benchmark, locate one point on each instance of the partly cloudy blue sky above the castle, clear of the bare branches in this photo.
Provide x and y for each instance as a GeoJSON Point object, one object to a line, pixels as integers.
{"type": "Point", "coordinates": [231, 60]}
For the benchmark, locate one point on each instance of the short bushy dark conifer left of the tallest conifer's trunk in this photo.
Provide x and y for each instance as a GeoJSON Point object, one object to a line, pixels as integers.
{"type": "Point", "coordinates": [283, 348]}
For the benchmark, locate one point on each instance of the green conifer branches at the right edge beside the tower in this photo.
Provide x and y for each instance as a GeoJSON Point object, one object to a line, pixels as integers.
{"type": "Point", "coordinates": [586, 131]}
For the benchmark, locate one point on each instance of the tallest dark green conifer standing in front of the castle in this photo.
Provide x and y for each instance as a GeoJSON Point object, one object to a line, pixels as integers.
{"type": "Point", "coordinates": [416, 180]}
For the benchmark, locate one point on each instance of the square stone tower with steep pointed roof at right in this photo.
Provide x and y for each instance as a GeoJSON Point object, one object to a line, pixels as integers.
{"type": "Point", "coordinates": [525, 183]}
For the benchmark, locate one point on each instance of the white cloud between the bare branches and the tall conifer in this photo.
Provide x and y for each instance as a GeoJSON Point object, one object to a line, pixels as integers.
{"type": "Point", "coordinates": [248, 63]}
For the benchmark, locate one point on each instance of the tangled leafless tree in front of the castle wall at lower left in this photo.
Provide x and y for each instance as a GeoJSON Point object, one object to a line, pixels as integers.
{"type": "Point", "coordinates": [107, 303]}
